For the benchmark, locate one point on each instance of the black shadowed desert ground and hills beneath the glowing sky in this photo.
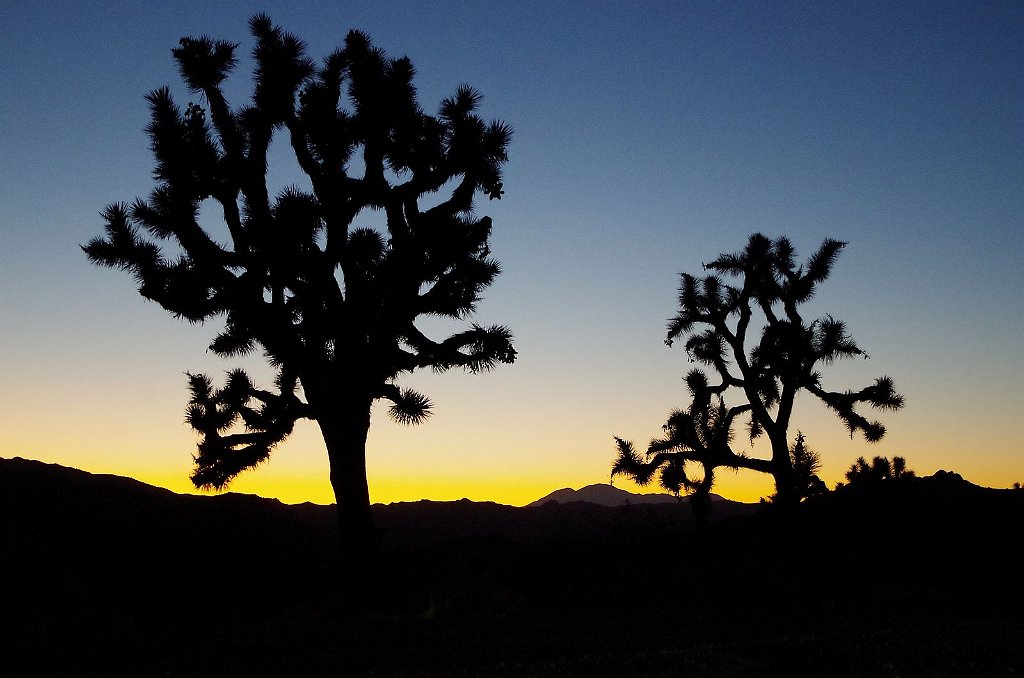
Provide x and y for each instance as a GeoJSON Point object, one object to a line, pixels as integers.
{"type": "Point", "coordinates": [108, 577]}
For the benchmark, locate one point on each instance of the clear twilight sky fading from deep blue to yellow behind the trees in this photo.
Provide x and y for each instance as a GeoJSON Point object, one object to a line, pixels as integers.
{"type": "Point", "coordinates": [651, 138]}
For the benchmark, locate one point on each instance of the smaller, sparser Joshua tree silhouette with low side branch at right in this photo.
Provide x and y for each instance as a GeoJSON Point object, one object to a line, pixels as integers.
{"type": "Point", "coordinates": [718, 322]}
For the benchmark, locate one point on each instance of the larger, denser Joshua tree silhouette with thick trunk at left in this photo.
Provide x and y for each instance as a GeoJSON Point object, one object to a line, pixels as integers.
{"type": "Point", "coordinates": [328, 282]}
